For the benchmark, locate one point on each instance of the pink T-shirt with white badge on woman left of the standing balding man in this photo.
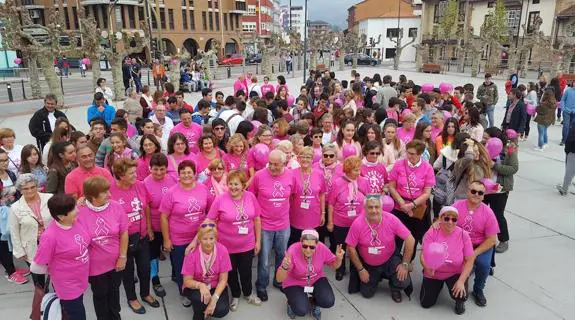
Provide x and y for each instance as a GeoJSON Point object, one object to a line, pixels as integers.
{"type": "Point", "coordinates": [236, 221]}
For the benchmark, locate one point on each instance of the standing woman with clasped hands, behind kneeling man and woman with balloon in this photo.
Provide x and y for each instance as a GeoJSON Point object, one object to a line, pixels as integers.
{"type": "Point", "coordinates": [410, 183]}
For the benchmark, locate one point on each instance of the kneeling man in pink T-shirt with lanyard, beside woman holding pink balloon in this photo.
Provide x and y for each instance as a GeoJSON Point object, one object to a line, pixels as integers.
{"type": "Point", "coordinates": [371, 247]}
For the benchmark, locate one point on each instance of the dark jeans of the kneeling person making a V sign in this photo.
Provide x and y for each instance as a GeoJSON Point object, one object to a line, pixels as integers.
{"type": "Point", "coordinates": [299, 302]}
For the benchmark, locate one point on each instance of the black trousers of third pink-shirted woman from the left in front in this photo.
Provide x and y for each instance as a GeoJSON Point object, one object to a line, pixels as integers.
{"type": "Point", "coordinates": [141, 256]}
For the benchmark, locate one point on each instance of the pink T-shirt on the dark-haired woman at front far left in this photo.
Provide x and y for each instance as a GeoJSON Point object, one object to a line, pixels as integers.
{"type": "Point", "coordinates": [65, 252]}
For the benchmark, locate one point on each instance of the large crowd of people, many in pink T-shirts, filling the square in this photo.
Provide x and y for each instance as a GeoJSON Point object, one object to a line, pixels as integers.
{"type": "Point", "coordinates": [352, 175]}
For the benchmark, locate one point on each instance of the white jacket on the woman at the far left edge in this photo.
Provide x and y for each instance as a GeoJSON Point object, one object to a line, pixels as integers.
{"type": "Point", "coordinates": [24, 227]}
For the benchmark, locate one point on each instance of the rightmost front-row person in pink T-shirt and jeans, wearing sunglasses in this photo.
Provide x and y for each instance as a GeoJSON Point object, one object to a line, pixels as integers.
{"type": "Point", "coordinates": [479, 220]}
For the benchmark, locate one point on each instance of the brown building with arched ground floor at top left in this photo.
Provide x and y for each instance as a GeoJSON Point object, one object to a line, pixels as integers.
{"type": "Point", "coordinates": [187, 24]}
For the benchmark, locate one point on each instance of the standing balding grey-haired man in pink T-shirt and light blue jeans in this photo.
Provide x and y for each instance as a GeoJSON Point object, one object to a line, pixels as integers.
{"type": "Point", "coordinates": [273, 187]}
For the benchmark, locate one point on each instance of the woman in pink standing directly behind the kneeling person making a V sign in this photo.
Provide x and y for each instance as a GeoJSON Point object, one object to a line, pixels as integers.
{"type": "Point", "coordinates": [308, 202]}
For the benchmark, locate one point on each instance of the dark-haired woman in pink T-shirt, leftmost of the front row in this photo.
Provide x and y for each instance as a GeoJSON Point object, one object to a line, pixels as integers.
{"type": "Point", "coordinates": [63, 254]}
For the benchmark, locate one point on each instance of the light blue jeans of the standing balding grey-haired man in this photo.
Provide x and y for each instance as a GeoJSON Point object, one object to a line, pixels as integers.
{"type": "Point", "coordinates": [276, 240]}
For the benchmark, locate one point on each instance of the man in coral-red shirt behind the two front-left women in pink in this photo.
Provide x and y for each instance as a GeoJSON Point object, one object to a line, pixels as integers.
{"type": "Point", "coordinates": [86, 168]}
